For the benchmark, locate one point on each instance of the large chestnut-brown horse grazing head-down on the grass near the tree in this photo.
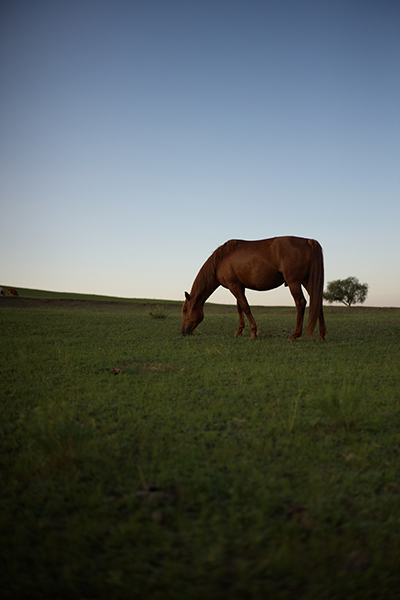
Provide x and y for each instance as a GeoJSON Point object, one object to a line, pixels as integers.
{"type": "Point", "coordinates": [261, 265]}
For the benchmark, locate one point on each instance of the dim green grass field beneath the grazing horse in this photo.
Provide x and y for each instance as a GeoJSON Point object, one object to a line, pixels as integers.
{"type": "Point", "coordinates": [138, 463]}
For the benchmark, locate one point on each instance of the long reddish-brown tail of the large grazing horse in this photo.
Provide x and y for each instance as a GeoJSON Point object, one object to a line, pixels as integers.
{"type": "Point", "coordinates": [315, 288]}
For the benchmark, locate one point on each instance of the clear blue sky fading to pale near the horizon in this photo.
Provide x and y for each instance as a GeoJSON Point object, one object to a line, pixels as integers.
{"type": "Point", "coordinates": [136, 136]}
